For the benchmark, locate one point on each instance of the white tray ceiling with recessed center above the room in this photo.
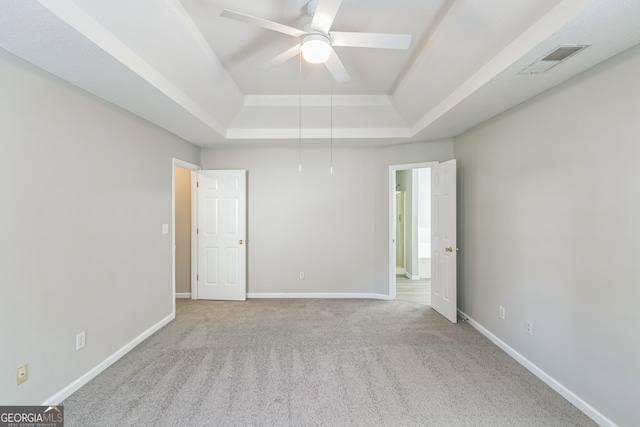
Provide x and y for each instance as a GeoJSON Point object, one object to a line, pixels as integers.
{"type": "Point", "coordinates": [180, 65]}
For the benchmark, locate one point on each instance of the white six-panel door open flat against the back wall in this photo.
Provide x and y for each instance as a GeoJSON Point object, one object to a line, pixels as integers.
{"type": "Point", "coordinates": [222, 235]}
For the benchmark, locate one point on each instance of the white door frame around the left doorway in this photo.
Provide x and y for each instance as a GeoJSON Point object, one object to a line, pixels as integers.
{"type": "Point", "coordinates": [194, 265]}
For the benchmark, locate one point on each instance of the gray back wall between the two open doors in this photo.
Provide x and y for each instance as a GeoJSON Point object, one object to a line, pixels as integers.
{"type": "Point", "coordinates": [334, 227]}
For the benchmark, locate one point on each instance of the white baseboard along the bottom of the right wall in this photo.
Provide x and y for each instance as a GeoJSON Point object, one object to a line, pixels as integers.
{"type": "Point", "coordinates": [588, 410]}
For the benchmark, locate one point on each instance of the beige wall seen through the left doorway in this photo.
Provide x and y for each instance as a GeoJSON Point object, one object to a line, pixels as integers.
{"type": "Point", "coordinates": [183, 229]}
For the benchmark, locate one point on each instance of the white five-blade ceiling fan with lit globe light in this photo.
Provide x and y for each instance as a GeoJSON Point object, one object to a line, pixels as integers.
{"type": "Point", "coordinates": [317, 41]}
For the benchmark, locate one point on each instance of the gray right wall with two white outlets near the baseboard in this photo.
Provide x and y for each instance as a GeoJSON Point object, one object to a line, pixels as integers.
{"type": "Point", "coordinates": [550, 228]}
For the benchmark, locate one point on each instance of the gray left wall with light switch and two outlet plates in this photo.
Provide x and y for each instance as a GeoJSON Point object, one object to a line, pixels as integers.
{"type": "Point", "coordinates": [85, 188]}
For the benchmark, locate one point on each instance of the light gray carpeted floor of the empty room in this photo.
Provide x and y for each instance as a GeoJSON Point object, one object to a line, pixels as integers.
{"type": "Point", "coordinates": [316, 363]}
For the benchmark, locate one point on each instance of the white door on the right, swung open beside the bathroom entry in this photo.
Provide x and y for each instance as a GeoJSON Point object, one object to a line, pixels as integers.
{"type": "Point", "coordinates": [443, 240]}
